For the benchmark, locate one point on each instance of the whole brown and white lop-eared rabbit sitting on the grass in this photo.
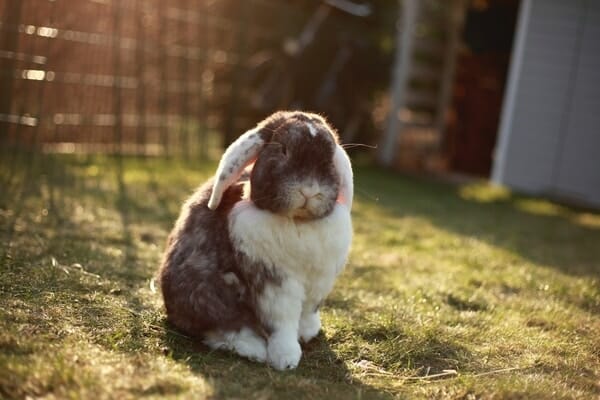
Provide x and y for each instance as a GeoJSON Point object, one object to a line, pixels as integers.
{"type": "Point", "coordinates": [257, 248]}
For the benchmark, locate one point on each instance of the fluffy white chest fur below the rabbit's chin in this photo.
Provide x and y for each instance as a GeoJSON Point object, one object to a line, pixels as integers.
{"type": "Point", "coordinates": [311, 253]}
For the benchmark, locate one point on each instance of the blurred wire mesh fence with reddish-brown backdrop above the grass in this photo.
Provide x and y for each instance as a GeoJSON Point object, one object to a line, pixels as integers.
{"type": "Point", "coordinates": [133, 76]}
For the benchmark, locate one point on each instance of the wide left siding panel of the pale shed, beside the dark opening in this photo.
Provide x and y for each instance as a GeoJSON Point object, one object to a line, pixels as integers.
{"type": "Point", "coordinates": [542, 94]}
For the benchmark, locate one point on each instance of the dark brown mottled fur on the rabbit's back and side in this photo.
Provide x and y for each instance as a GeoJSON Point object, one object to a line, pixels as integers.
{"type": "Point", "coordinates": [199, 272]}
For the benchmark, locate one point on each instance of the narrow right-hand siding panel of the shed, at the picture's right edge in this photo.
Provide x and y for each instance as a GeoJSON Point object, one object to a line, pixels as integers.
{"type": "Point", "coordinates": [578, 169]}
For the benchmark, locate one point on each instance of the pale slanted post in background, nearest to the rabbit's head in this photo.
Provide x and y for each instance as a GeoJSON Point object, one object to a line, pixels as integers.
{"type": "Point", "coordinates": [409, 10]}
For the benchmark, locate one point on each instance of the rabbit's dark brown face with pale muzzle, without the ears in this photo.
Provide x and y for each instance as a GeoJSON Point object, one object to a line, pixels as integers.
{"type": "Point", "coordinates": [294, 174]}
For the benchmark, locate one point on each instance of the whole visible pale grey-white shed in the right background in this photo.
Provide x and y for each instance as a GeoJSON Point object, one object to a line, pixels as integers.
{"type": "Point", "coordinates": [549, 135]}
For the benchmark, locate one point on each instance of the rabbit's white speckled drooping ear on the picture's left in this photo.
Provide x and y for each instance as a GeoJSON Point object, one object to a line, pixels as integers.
{"type": "Point", "coordinates": [238, 156]}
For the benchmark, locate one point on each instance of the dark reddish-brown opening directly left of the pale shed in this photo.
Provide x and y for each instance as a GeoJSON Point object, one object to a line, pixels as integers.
{"type": "Point", "coordinates": [478, 94]}
